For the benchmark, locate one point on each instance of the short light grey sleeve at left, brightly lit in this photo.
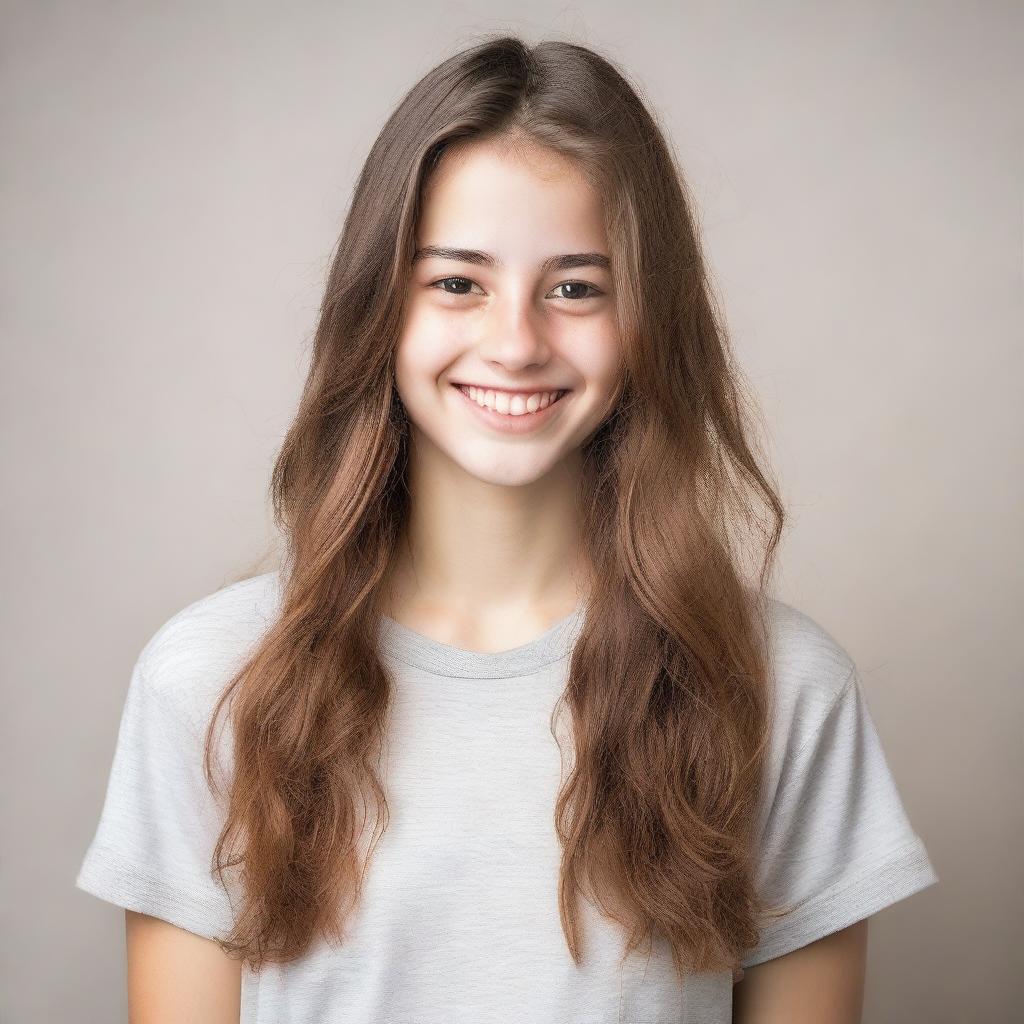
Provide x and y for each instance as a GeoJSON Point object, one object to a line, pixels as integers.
{"type": "Point", "coordinates": [153, 848]}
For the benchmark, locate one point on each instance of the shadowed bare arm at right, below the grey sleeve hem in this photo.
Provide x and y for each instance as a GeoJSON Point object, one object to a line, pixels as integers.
{"type": "Point", "coordinates": [820, 984]}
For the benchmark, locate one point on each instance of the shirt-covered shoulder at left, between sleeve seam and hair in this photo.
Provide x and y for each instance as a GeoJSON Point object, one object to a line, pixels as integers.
{"type": "Point", "coordinates": [194, 654]}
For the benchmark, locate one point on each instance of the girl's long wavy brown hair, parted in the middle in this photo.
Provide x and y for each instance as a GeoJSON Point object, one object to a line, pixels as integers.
{"type": "Point", "coordinates": [669, 680]}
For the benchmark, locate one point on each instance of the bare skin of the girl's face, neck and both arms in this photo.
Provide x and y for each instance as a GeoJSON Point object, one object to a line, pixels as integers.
{"type": "Point", "coordinates": [493, 554]}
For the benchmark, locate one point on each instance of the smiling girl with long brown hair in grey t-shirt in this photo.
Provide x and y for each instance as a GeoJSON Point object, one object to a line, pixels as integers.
{"type": "Point", "coordinates": [511, 736]}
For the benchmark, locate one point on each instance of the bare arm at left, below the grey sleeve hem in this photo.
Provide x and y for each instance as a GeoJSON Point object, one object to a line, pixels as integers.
{"type": "Point", "coordinates": [175, 975]}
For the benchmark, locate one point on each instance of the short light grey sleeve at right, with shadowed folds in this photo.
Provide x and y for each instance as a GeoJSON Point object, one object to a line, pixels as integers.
{"type": "Point", "coordinates": [837, 845]}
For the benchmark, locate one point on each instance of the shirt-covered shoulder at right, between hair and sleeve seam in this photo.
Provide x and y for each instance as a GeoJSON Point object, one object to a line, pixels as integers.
{"type": "Point", "coordinates": [810, 671]}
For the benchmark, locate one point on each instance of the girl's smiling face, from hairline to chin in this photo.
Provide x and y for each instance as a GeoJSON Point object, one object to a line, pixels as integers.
{"type": "Point", "coordinates": [511, 295]}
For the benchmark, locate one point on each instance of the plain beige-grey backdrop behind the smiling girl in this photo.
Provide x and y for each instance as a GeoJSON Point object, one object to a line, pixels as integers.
{"type": "Point", "coordinates": [175, 179]}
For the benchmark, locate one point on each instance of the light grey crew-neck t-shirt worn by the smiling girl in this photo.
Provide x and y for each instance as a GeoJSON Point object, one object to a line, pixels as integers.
{"type": "Point", "coordinates": [459, 921]}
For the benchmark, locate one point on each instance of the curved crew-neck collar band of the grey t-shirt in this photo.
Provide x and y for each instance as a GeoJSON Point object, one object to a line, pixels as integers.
{"type": "Point", "coordinates": [420, 652]}
